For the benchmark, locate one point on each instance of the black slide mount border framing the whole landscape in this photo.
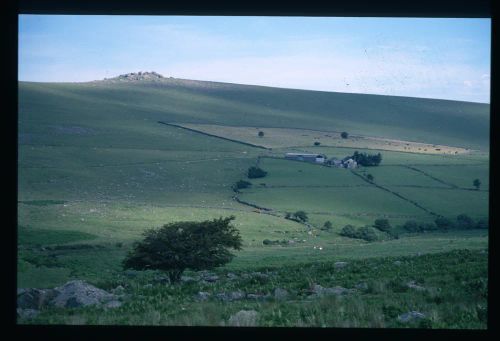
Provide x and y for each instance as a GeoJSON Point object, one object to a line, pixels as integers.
{"type": "Point", "coordinates": [353, 8]}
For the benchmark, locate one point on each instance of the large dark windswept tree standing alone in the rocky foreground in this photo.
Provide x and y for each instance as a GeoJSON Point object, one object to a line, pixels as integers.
{"type": "Point", "coordinates": [176, 247]}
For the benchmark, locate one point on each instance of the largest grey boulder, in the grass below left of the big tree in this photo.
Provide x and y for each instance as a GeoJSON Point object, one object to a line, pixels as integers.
{"type": "Point", "coordinates": [78, 294]}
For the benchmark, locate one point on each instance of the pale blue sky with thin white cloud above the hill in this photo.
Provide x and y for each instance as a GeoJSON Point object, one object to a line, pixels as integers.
{"type": "Point", "coordinates": [417, 57]}
